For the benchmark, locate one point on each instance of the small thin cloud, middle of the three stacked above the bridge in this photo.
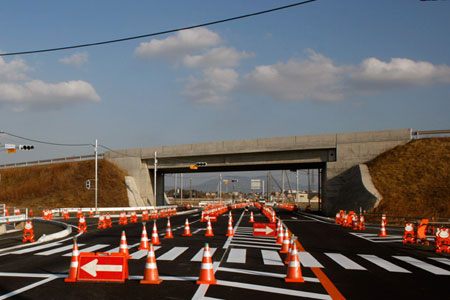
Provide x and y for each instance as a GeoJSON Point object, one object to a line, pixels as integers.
{"type": "Point", "coordinates": [216, 57]}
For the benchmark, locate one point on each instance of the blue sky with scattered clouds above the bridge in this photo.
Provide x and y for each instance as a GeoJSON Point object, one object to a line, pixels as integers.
{"type": "Point", "coordinates": [323, 67]}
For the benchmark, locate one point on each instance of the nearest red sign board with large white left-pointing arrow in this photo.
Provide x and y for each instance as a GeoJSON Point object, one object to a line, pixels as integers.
{"type": "Point", "coordinates": [102, 267]}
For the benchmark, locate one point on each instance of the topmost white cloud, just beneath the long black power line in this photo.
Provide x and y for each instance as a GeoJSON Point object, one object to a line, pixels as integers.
{"type": "Point", "coordinates": [178, 45]}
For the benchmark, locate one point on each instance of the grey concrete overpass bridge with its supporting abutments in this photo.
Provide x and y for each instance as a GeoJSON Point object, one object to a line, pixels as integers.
{"type": "Point", "coordinates": [337, 156]}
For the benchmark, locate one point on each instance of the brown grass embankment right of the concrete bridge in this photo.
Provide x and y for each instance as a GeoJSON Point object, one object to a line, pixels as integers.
{"type": "Point", "coordinates": [414, 179]}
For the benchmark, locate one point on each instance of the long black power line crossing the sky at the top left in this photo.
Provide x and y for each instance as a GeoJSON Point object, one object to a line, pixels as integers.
{"type": "Point", "coordinates": [157, 33]}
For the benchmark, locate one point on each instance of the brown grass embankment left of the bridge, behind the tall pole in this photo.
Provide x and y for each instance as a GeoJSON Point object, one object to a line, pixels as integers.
{"type": "Point", "coordinates": [62, 185]}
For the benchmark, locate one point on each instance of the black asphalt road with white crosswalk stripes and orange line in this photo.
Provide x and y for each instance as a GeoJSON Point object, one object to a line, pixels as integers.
{"type": "Point", "coordinates": [337, 264]}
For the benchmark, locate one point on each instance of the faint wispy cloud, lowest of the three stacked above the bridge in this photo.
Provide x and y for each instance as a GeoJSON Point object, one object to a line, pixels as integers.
{"type": "Point", "coordinates": [213, 87]}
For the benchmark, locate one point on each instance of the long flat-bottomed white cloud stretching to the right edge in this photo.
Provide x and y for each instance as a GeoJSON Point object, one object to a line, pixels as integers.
{"type": "Point", "coordinates": [319, 78]}
